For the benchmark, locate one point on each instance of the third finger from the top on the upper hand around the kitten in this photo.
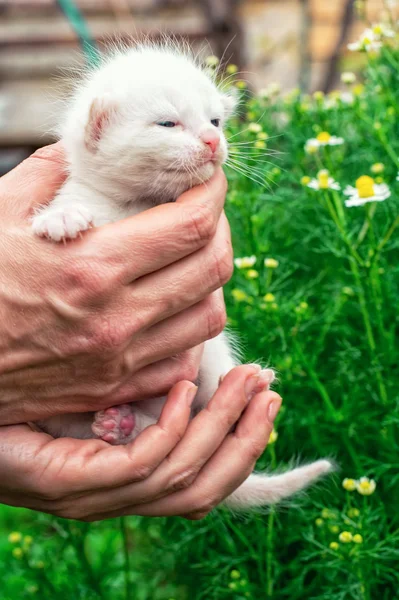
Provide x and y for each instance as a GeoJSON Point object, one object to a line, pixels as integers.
{"type": "Point", "coordinates": [189, 328]}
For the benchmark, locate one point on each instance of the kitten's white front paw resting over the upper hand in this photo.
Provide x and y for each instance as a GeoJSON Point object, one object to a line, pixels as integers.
{"type": "Point", "coordinates": [62, 223]}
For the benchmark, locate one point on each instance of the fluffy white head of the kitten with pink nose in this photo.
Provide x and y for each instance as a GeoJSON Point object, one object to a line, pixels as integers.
{"type": "Point", "coordinates": [153, 120]}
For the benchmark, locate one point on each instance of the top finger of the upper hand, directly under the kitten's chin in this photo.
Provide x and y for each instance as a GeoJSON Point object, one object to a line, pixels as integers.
{"type": "Point", "coordinates": [164, 234]}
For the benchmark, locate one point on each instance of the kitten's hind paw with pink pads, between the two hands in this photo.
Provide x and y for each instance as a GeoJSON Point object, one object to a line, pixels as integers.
{"type": "Point", "coordinates": [115, 425]}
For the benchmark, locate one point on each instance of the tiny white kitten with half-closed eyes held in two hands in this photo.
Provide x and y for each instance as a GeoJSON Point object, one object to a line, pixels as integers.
{"type": "Point", "coordinates": [142, 129]}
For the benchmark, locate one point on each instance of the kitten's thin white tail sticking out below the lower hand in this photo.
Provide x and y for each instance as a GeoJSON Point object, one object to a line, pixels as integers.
{"type": "Point", "coordinates": [260, 490]}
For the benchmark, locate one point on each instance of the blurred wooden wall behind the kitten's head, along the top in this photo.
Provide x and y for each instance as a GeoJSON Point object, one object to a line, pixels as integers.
{"type": "Point", "coordinates": [294, 42]}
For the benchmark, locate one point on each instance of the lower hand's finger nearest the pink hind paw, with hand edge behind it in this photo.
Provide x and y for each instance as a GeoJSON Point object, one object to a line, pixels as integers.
{"type": "Point", "coordinates": [52, 469]}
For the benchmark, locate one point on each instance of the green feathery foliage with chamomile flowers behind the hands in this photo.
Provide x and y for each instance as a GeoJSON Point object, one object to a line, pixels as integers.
{"type": "Point", "coordinates": [327, 318]}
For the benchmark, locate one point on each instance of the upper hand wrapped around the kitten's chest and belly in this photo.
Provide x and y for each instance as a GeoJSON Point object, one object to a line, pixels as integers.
{"type": "Point", "coordinates": [111, 317]}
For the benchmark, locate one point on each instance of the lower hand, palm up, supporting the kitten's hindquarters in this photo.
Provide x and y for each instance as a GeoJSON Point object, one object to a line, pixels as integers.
{"type": "Point", "coordinates": [176, 467]}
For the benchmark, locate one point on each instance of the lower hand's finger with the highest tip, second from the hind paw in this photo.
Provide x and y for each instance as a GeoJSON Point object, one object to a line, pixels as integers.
{"type": "Point", "coordinates": [204, 435]}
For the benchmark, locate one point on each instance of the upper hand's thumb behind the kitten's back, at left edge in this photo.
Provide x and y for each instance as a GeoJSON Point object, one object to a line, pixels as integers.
{"type": "Point", "coordinates": [34, 182]}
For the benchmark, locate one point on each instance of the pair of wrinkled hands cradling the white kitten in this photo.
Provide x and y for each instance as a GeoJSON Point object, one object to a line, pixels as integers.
{"type": "Point", "coordinates": [96, 322]}
